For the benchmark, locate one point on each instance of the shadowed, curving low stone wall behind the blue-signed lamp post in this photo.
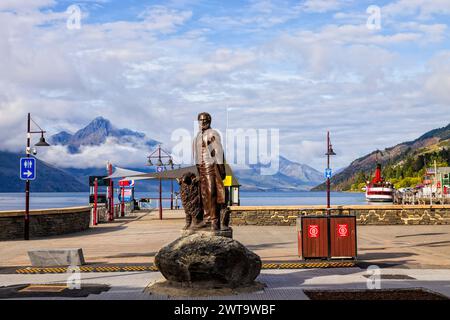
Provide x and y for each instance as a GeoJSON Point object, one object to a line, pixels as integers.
{"type": "Point", "coordinates": [43, 223]}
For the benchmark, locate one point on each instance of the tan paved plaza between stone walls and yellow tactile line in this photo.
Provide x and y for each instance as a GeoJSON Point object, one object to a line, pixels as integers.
{"type": "Point", "coordinates": [136, 239]}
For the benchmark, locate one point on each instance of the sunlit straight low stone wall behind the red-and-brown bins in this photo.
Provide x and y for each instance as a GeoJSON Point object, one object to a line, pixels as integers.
{"type": "Point", "coordinates": [365, 214]}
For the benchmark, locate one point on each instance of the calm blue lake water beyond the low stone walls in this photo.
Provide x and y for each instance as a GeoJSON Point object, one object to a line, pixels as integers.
{"type": "Point", "coordinates": [13, 201]}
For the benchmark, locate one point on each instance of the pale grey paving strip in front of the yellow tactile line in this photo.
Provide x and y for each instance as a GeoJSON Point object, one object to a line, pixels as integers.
{"type": "Point", "coordinates": [280, 284]}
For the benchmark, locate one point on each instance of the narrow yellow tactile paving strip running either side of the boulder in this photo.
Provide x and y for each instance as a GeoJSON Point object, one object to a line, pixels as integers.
{"type": "Point", "coordinates": [300, 265]}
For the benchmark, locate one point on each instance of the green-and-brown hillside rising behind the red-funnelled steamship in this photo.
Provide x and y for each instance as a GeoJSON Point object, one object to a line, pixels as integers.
{"type": "Point", "coordinates": [430, 145]}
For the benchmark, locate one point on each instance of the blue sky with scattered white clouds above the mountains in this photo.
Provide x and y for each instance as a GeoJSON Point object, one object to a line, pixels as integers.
{"type": "Point", "coordinates": [373, 73]}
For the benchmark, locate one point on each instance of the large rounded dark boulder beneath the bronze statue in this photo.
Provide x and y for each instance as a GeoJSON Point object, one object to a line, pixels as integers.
{"type": "Point", "coordinates": [204, 260]}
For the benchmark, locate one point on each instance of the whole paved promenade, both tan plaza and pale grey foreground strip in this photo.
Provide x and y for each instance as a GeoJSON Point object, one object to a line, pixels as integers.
{"type": "Point", "coordinates": [409, 257]}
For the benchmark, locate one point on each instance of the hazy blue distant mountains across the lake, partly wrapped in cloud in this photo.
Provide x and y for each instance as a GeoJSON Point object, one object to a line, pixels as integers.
{"type": "Point", "coordinates": [291, 175]}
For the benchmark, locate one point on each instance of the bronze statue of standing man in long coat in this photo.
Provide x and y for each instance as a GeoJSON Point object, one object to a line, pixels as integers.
{"type": "Point", "coordinates": [210, 162]}
